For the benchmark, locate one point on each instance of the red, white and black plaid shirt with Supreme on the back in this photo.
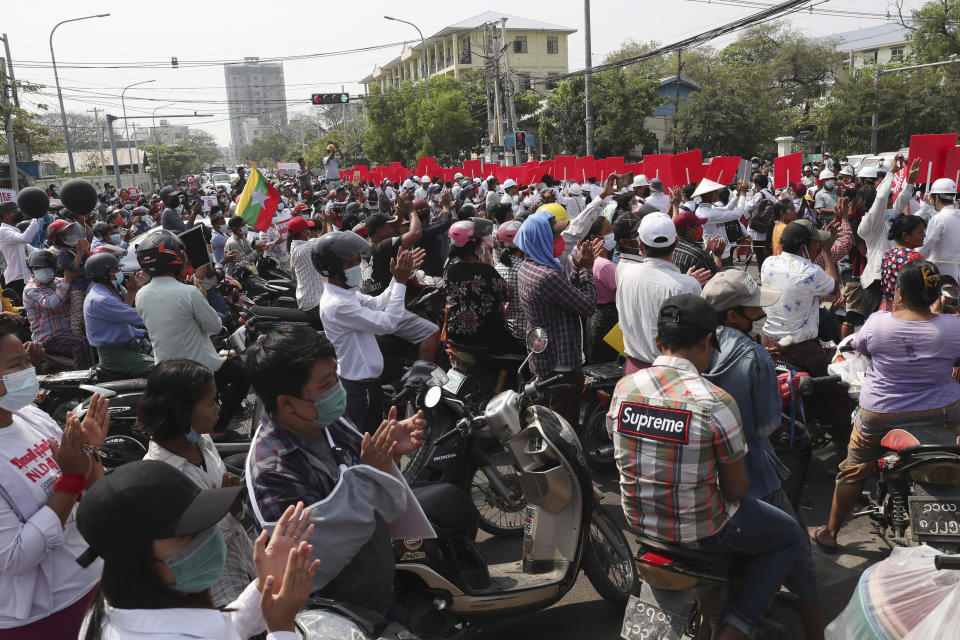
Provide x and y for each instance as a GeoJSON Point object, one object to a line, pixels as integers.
{"type": "Point", "coordinates": [671, 428]}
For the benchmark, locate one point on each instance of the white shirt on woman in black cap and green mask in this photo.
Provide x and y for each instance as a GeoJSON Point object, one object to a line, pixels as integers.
{"type": "Point", "coordinates": [242, 621]}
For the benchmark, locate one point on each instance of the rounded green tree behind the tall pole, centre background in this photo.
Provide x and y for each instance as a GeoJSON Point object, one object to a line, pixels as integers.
{"type": "Point", "coordinates": [621, 101]}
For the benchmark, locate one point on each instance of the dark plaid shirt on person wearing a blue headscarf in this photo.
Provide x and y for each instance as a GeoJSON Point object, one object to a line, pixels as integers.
{"type": "Point", "coordinates": [556, 302]}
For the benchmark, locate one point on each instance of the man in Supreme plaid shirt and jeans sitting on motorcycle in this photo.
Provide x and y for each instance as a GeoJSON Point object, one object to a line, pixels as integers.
{"type": "Point", "coordinates": [680, 452]}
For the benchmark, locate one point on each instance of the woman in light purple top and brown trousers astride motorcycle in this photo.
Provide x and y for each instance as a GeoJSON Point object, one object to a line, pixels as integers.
{"type": "Point", "coordinates": [909, 383]}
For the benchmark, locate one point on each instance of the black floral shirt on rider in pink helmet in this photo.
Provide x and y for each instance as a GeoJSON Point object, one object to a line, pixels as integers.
{"type": "Point", "coordinates": [475, 297]}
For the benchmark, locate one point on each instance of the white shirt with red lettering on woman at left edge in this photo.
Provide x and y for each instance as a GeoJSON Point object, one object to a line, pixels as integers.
{"type": "Point", "coordinates": [39, 574]}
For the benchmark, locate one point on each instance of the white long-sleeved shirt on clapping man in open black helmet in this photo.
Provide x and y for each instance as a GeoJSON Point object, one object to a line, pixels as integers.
{"type": "Point", "coordinates": [352, 321]}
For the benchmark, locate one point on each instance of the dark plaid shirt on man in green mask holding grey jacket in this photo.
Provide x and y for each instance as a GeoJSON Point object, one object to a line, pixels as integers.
{"type": "Point", "coordinates": [284, 472]}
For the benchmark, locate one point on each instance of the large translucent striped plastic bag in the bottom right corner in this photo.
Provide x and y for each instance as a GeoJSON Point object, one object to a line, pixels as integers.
{"type": "Point", "coordinates": [901, 598]}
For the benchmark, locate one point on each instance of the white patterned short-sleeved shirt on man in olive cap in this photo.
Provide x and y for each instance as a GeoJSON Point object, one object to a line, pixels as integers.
{"type": "Point", "coordinates": [794, 318]}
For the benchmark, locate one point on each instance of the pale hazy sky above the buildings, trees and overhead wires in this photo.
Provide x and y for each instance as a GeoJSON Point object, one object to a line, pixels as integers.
{"type": "Point", "coordinates": [150, 33]}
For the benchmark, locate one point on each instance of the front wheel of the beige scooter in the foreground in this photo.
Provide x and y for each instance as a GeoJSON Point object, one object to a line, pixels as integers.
{"type": "Point", "coordinates": [608, 561]}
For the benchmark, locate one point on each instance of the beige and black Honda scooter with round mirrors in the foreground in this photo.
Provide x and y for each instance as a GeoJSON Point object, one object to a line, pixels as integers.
{"type": "Point", "coordinates": [444, 586]}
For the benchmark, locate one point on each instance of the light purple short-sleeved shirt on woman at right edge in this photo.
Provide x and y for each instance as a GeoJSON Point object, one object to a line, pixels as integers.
{"type": "Point", "coordinates": [912, 363]}
